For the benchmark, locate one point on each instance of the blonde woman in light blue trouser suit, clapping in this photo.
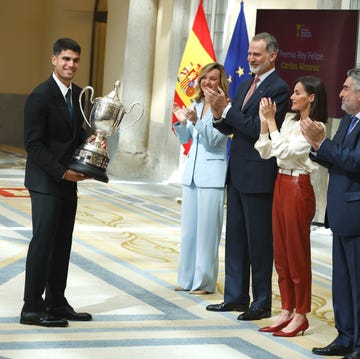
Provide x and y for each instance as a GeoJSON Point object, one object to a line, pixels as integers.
{"type": "Point", "coordinates": [203, 187]}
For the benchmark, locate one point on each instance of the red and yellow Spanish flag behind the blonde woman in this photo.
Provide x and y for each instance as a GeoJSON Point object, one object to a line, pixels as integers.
{"type": "Point", "coordinates": [198, 52]}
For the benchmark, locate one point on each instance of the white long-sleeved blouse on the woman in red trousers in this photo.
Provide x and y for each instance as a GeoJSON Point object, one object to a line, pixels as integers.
{"type": "Point", "coordinates": [289, 146]}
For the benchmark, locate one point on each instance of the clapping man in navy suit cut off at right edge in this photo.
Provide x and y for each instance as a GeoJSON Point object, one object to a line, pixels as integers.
{"type": "Point", "coordinates": [341, 156]}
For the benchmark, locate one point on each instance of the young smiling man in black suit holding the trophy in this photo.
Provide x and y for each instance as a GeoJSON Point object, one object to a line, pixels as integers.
{"type": "Point", "coordinates": [52, 131]}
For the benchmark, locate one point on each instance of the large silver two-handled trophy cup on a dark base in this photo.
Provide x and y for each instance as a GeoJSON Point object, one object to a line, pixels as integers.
{"type": "Point", "coordinates": [105, 117]}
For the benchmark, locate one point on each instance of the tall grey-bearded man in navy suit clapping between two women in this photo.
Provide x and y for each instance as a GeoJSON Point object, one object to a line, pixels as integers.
{"type": "Point", "coordinates": [250, 183]}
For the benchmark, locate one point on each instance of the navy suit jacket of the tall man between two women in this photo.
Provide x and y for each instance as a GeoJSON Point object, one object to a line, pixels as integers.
{"type": "Point", "coordinates": [247, 172]}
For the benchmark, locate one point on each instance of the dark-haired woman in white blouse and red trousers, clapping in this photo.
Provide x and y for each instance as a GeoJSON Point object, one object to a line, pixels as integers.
{"type": "Point", "coordinates": [294, 200]}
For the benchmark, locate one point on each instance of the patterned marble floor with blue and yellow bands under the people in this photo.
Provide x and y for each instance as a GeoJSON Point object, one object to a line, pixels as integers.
{"type": "Point", "coordinates": [123, 270]}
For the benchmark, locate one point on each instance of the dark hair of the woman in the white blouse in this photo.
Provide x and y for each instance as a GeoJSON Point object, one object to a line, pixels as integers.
{"type": "Point", "coordinates": [318, 108]}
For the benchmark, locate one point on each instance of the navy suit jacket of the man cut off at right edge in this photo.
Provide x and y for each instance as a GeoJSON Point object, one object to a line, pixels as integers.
{"type": "Point", "coordinates": [342, 158]}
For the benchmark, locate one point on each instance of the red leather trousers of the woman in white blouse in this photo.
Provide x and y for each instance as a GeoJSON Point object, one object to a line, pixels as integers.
{"type": "Point", "coordinates": [293, 211]}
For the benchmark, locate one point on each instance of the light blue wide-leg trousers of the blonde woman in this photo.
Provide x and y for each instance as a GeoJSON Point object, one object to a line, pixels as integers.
{"type": "Point", "coordinates": [201, 224]}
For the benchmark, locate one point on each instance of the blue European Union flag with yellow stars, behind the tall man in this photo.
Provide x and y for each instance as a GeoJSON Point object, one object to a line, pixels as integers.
{"type": "Point", "coordinates": [236, 64]}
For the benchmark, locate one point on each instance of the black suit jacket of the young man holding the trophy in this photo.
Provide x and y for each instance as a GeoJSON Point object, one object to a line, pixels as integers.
{"type": "Point", "coordinates": [51, 137]}
